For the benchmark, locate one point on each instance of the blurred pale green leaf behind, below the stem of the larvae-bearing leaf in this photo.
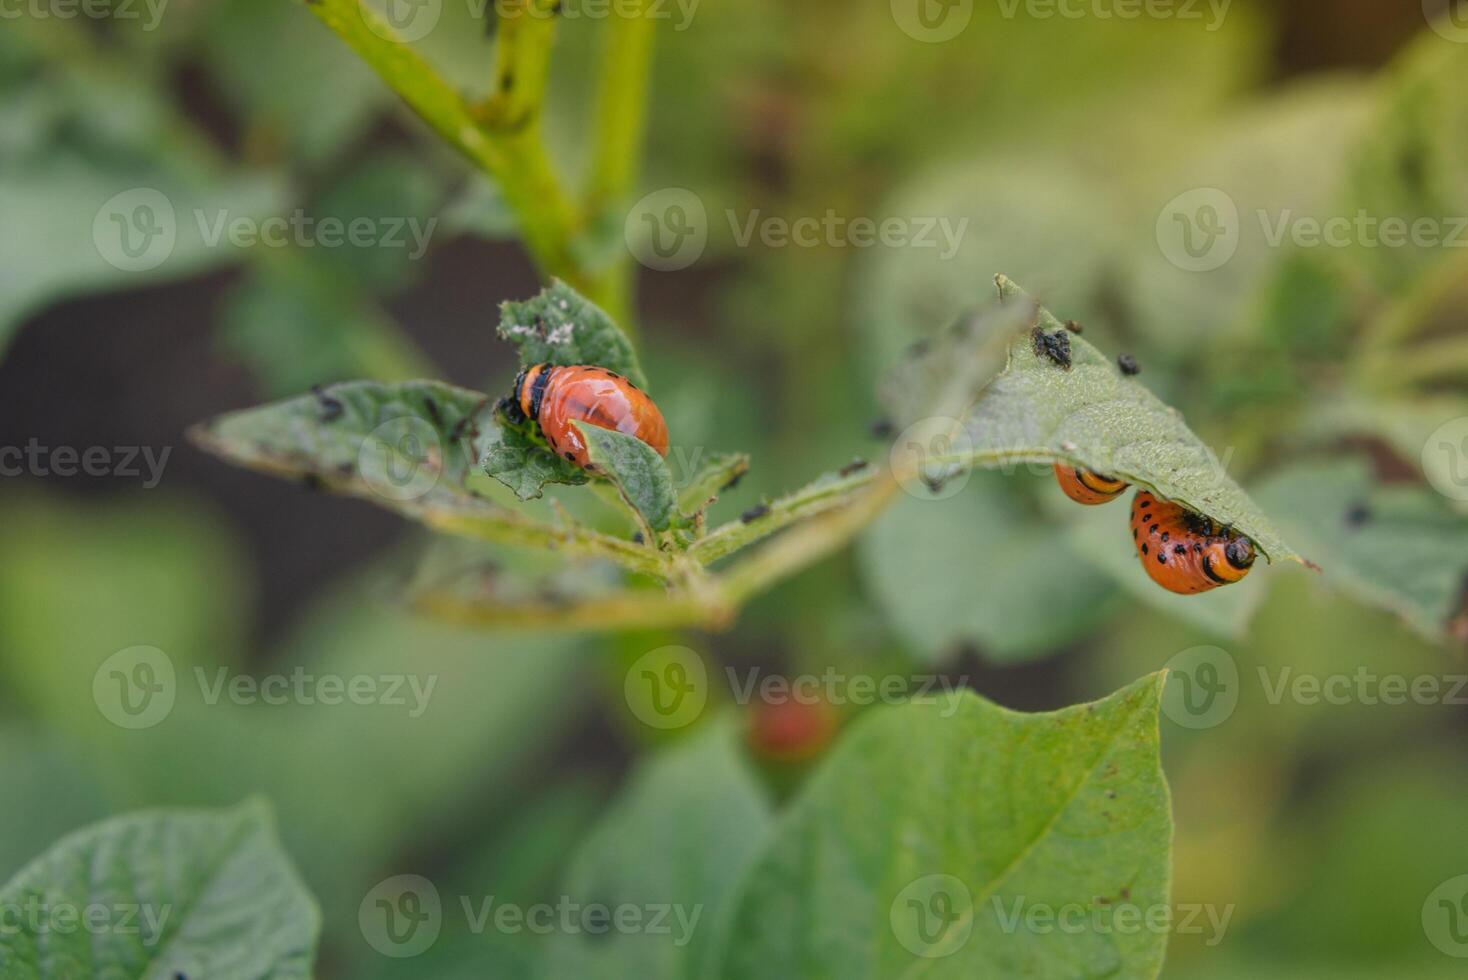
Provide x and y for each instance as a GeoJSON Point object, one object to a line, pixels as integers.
{"type": "Point", "coordinates": [978, 570]}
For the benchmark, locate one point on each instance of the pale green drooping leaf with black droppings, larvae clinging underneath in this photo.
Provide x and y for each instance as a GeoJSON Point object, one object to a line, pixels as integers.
{"type": "Point", "coordinates": [1062, 401]}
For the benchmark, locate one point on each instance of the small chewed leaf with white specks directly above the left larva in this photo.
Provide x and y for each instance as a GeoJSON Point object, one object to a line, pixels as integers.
{"type": "Point", "coordinates": [563, 328]}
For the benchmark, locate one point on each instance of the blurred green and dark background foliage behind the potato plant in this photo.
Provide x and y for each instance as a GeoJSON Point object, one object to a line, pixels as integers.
{"type": "Point", "coordinates": [1320, 373]}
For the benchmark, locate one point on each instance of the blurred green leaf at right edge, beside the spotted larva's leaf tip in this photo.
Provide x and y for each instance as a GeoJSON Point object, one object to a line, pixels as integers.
{"type": "Point", "coordinates": [1398, 548]}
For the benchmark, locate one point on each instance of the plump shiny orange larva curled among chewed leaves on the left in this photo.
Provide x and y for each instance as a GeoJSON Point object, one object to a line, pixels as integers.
{"type": "Point", "coordinates": [556, 397]}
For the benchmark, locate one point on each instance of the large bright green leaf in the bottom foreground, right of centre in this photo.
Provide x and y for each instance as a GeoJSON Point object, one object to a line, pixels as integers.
{"type": "Point", "coordinates": [939, 828]}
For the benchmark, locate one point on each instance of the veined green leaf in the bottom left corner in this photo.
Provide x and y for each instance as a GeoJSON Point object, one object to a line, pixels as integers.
{"type": "Point", "coordinates": [196, 894]}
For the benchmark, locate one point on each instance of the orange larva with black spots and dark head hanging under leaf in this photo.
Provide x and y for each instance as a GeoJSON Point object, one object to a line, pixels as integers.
{"type": "Point", "coordinates": [1187, 552]}
